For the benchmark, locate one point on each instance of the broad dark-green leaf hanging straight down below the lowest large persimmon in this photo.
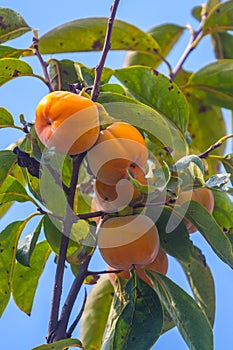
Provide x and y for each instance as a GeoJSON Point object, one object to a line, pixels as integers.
{"type": "Point", "coordinates": [140, 322]}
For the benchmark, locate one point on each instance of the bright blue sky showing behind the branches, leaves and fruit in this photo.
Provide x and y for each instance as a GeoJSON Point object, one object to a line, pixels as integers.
{"type": "Point", "coordinates": [22, 95]}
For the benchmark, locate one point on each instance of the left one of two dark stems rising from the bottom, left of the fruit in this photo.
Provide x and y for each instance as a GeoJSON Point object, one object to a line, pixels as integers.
{"type": "Point", "coordinates": [68, 221]}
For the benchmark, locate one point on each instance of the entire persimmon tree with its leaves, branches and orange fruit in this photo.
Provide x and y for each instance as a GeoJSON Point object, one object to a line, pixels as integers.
{"type": "Point", "coordinates": [157, 158]}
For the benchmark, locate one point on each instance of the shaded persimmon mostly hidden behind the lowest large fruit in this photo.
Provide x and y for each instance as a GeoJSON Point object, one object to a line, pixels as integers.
{"type": "Point", "coordinates": [160, 264]}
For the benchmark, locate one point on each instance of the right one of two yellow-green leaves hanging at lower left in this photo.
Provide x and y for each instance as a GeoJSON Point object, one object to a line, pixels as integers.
{"type": "Point", "coordinates": [25, 279]}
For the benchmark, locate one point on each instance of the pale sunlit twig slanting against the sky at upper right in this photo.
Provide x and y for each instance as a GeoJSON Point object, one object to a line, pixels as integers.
{"type": "Point", "coordinates": [191, 45]}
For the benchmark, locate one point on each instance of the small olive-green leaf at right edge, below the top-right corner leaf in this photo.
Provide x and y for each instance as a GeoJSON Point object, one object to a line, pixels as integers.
{"type": "Point", "coordinates": [223, 45]}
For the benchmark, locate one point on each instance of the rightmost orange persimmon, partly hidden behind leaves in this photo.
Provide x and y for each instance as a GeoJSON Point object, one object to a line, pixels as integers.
{"type": "Point", "coordinates": [204, 196]}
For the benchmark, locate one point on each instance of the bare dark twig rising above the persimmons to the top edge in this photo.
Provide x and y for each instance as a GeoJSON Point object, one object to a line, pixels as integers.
{"type": "Point", "coordinates": [106, 48]}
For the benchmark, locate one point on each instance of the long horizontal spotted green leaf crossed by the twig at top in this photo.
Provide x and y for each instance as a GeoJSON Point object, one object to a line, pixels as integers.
{"type": "Point", "coordinates": [88, 34]}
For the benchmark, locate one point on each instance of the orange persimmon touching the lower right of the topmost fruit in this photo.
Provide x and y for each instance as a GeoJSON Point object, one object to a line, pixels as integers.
{"type": "Point", "coordinates": [118, 146]}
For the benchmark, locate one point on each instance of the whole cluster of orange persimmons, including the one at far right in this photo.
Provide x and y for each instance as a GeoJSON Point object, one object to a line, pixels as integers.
{"type": "Point", "coordinates": [69, 123]}
